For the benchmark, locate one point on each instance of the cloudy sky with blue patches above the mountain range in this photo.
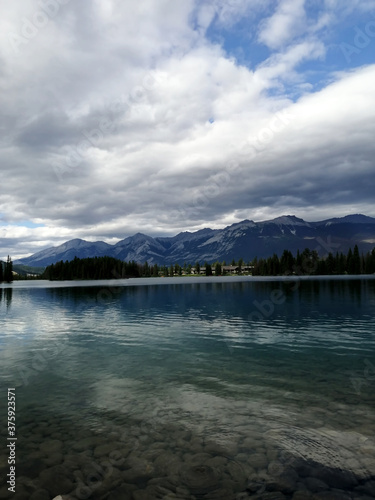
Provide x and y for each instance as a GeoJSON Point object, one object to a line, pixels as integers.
{"type": "Point", "coordinates": [118, 117]}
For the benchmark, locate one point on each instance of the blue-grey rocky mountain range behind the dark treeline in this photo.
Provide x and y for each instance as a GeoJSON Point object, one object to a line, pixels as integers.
{"type": "Point", "coordinates": [246, 239]}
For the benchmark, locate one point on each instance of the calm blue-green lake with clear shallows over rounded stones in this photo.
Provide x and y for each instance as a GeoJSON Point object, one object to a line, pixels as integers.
{"type": "Point", "coordinates": [194, 389]}
